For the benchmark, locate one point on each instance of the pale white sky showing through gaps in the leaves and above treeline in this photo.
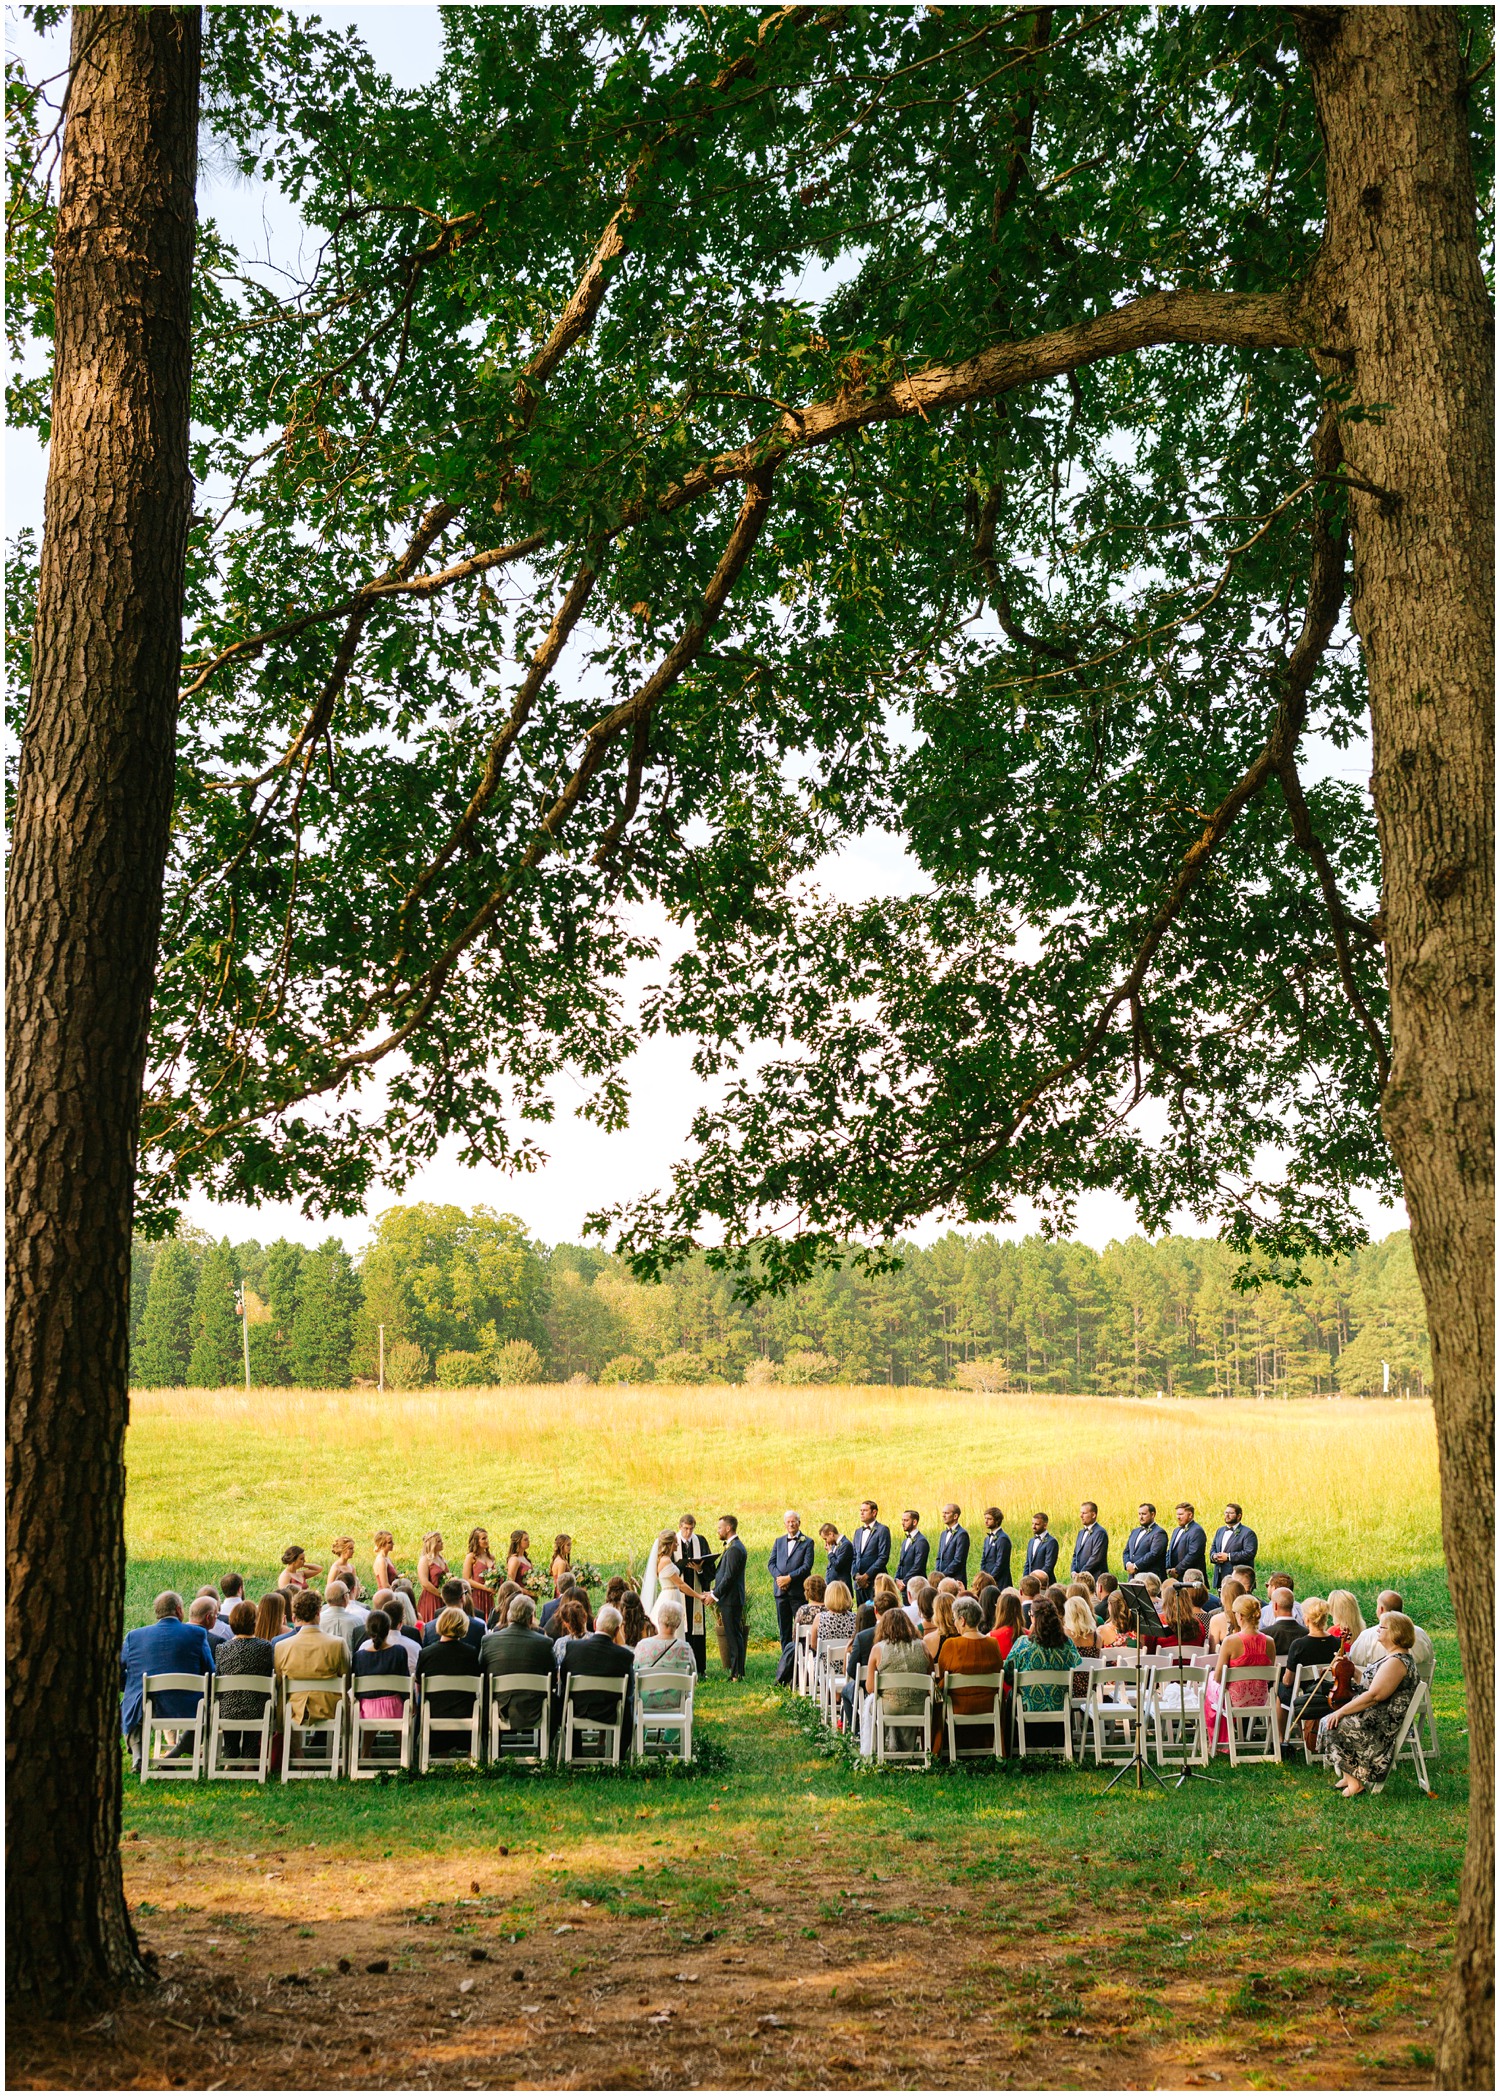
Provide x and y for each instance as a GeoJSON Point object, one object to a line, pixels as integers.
{"type": "Point", "coordinates": [588, 1169]}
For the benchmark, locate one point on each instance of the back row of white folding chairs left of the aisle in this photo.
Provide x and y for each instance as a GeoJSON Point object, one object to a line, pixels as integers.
{"type": "Point", "coordinates": [347, 1741]}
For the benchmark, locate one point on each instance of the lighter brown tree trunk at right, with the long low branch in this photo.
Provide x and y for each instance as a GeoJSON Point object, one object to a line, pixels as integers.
{"type": "Point", "coordinates": [1400, 301]}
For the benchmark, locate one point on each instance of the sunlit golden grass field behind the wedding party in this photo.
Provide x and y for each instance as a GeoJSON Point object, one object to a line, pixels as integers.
{"type": "Point", "coordinates": [1342, 1489]}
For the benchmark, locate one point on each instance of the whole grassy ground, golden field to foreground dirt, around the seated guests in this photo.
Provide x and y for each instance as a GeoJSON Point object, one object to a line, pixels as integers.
{"type": "Point", "coordinates": [780, 1917]}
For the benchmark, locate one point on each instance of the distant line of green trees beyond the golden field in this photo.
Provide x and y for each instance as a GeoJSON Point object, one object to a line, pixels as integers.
{"type": "Point", "coordinates": [468, 1298]}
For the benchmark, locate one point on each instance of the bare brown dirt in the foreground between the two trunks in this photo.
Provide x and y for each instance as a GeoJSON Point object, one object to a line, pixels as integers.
{"type": "Point", "coordinates": [294, 1969]}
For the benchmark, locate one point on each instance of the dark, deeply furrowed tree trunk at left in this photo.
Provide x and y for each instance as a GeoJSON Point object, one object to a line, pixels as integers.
{"type": "Point", "coordinates": [83, 911]}
